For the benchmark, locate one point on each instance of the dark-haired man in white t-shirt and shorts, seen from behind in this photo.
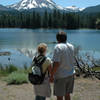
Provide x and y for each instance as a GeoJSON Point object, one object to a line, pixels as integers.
{"type": "Point", "coordinates": [63, 68]}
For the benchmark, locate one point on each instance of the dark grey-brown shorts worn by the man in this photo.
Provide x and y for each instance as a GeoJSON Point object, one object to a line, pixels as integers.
{"type": "Point", "coordinates": [63, 86]}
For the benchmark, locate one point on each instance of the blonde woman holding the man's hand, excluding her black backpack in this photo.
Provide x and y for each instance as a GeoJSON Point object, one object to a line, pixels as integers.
{"type": "Point", "coordinates": [43, 90]}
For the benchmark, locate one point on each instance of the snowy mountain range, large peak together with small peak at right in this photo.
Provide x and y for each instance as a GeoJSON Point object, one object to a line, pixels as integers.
{"type": "Point", "coordinates": [42, 4]}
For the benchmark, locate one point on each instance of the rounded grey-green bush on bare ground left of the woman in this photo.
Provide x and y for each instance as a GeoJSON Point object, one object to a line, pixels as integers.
{"type": "Point", "coordinates": [17, 77]}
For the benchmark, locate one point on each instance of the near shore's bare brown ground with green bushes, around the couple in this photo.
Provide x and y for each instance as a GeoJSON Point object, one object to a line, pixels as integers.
{"type": "Point", "coordinates": [14, 85]}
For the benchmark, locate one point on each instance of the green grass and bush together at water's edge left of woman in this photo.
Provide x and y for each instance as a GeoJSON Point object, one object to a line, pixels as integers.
{"type": "Point", "coordinates": [14, 75]}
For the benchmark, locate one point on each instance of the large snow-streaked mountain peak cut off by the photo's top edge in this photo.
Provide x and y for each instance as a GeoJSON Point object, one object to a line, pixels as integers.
{"type": "Point", "coordinates": [34, 4]}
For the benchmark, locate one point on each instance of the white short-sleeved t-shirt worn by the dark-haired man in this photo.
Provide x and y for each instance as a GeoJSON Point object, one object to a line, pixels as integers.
{"type": "Point", "coordinates": [64, 54]}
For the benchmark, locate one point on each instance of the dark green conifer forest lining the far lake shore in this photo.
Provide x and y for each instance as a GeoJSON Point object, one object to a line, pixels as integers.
{"type": "Point", "coordinates": [56, 19]}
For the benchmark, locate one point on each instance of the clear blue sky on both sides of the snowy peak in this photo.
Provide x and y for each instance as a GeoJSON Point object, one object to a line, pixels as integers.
{"type": "Point", "coordinates": [64, 3]}
